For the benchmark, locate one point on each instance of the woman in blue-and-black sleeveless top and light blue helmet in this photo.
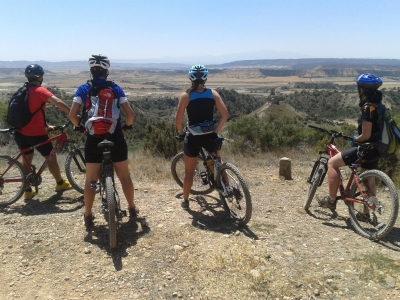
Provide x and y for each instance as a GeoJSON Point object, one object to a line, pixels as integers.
{"type": "Point", "coordinates": [199, 103]}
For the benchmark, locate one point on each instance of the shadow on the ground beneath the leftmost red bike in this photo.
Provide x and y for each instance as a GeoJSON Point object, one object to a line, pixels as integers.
{"type": "Point", "coordinates": [57, 203]}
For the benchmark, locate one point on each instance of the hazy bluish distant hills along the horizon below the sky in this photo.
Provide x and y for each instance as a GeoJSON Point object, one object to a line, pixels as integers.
{"type": "Point", "coordinates": [269, 67]}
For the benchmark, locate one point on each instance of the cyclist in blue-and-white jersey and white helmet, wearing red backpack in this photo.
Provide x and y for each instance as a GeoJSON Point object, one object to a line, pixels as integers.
{"type": "Point", "coordinates": [99, 65]}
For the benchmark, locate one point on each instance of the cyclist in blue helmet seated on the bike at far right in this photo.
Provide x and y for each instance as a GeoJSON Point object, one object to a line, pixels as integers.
{"type": "Point", "coordinates": [368, 132]}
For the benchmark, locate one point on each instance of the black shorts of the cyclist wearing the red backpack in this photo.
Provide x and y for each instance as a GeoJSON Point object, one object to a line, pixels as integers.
{"type": "Point", "coordinates": [94, 154]}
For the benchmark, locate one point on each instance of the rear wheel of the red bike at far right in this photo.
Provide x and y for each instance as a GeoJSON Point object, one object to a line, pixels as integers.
{"type": "Point", "coordinates": [384, 216]}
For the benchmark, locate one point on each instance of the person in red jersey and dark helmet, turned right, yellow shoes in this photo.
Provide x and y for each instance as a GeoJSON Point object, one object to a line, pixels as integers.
{"type": "Point", "coordinates": [36, 130]}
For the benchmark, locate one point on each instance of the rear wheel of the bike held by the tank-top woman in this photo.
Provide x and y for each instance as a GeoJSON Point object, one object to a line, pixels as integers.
{"type": "Point", "coordinates": [233, 203]}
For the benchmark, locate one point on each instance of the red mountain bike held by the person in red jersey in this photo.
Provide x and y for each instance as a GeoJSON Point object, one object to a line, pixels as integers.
{"type": "Point", "coordinates": [14, 179]}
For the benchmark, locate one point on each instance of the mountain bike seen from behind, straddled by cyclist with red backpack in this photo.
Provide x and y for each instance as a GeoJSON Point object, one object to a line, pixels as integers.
{"type": "Point", "coordinates": [110, 200]}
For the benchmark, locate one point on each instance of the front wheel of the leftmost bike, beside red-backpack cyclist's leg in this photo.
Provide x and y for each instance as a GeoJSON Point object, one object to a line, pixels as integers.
{"type": "Point", "coordinates": [75, 169]}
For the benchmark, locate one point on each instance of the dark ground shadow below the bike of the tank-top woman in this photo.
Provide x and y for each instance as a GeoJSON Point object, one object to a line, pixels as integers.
{"type": "Point", "coordinates": [213, 217]}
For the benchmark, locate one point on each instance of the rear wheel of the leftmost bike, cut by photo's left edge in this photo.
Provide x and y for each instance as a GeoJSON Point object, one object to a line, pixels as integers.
{"type": "Point", "coordinates": [10, 192]}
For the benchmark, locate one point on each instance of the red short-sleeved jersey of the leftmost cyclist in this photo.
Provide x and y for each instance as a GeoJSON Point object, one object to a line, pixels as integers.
{"type": "Point", "coordinates": [37, 126]}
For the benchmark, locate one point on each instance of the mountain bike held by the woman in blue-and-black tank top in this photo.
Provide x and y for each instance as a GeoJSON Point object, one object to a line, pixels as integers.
{"type": "Point", "coordinates": [211, 175]}
